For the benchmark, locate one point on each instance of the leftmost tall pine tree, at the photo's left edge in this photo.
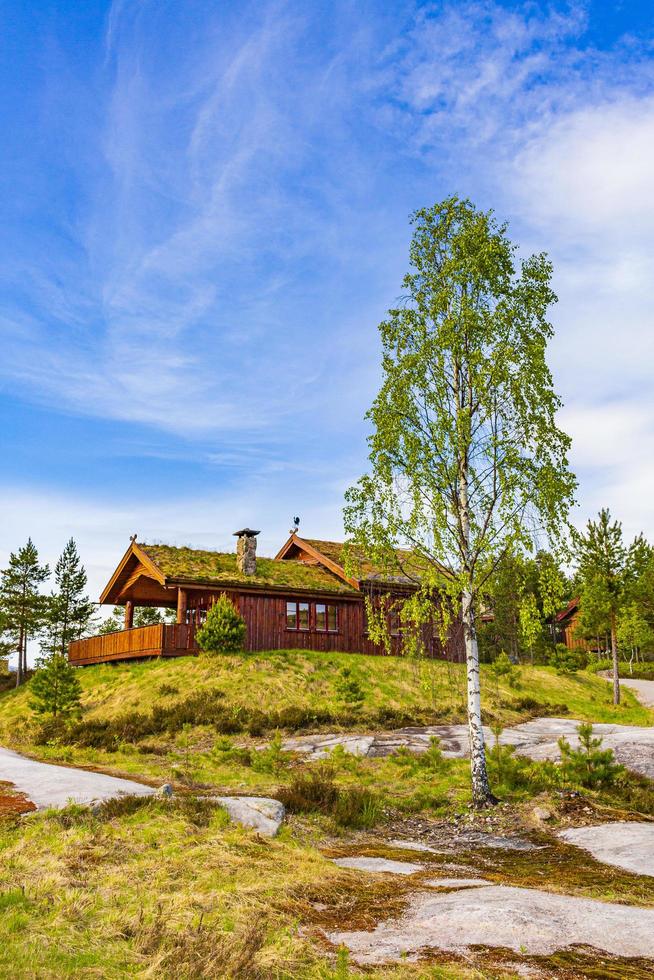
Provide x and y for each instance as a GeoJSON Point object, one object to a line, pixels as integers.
{"type": "Point", "coordinates": [22, 607]}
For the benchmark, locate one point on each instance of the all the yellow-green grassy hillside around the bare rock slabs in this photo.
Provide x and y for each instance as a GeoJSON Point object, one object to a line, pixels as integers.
{"type": "Point", "coordinates": [157, 888]}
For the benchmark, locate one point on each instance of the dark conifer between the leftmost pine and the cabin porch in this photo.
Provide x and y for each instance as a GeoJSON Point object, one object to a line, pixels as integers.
{"type": "Point", "coordinates": [70, 611]}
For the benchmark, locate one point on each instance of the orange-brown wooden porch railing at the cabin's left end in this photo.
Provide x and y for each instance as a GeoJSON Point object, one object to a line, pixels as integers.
{"type": "Point", "coordinates": [161, 640]}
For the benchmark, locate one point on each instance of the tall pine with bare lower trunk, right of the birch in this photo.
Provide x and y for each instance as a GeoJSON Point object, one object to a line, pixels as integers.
{"type": "Point", "coordinates": [606, 566]}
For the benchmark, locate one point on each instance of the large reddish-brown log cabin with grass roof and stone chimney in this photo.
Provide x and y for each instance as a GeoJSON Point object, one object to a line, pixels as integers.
{"type": "Point", "coordinates": [302, 598]}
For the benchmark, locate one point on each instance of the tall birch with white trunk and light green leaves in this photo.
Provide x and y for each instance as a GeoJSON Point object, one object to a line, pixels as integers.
{"type": "Point", "coordinates": [466, 459]}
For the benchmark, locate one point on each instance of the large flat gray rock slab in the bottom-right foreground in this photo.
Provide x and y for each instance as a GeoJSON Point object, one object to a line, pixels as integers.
{"type": "Point", "coordinates": [522, 919]}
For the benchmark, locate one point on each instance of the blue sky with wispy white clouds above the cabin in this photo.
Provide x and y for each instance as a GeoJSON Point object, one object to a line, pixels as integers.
{"type": "Point", "coordinates": [205, 216]}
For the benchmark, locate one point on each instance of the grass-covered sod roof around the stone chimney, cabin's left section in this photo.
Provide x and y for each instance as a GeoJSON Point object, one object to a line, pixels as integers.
{"type": "Point", "coordinates": [209, 567]}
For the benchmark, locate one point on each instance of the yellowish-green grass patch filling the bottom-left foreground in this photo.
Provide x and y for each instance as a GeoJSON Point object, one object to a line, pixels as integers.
{"type": "Point", "coordinates": [155, 893]}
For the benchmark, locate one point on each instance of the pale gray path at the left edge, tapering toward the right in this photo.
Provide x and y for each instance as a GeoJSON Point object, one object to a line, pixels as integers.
{"type": "Point", "coordinates": [55, 786]}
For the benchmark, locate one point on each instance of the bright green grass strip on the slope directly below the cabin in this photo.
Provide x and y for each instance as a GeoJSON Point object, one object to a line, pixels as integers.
{"type": "Point", "coordinates": [301, 678]}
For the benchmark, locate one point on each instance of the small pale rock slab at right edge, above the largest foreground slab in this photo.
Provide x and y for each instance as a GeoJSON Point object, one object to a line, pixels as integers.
{"type": "Point", "coordinates": [623, 845]}
